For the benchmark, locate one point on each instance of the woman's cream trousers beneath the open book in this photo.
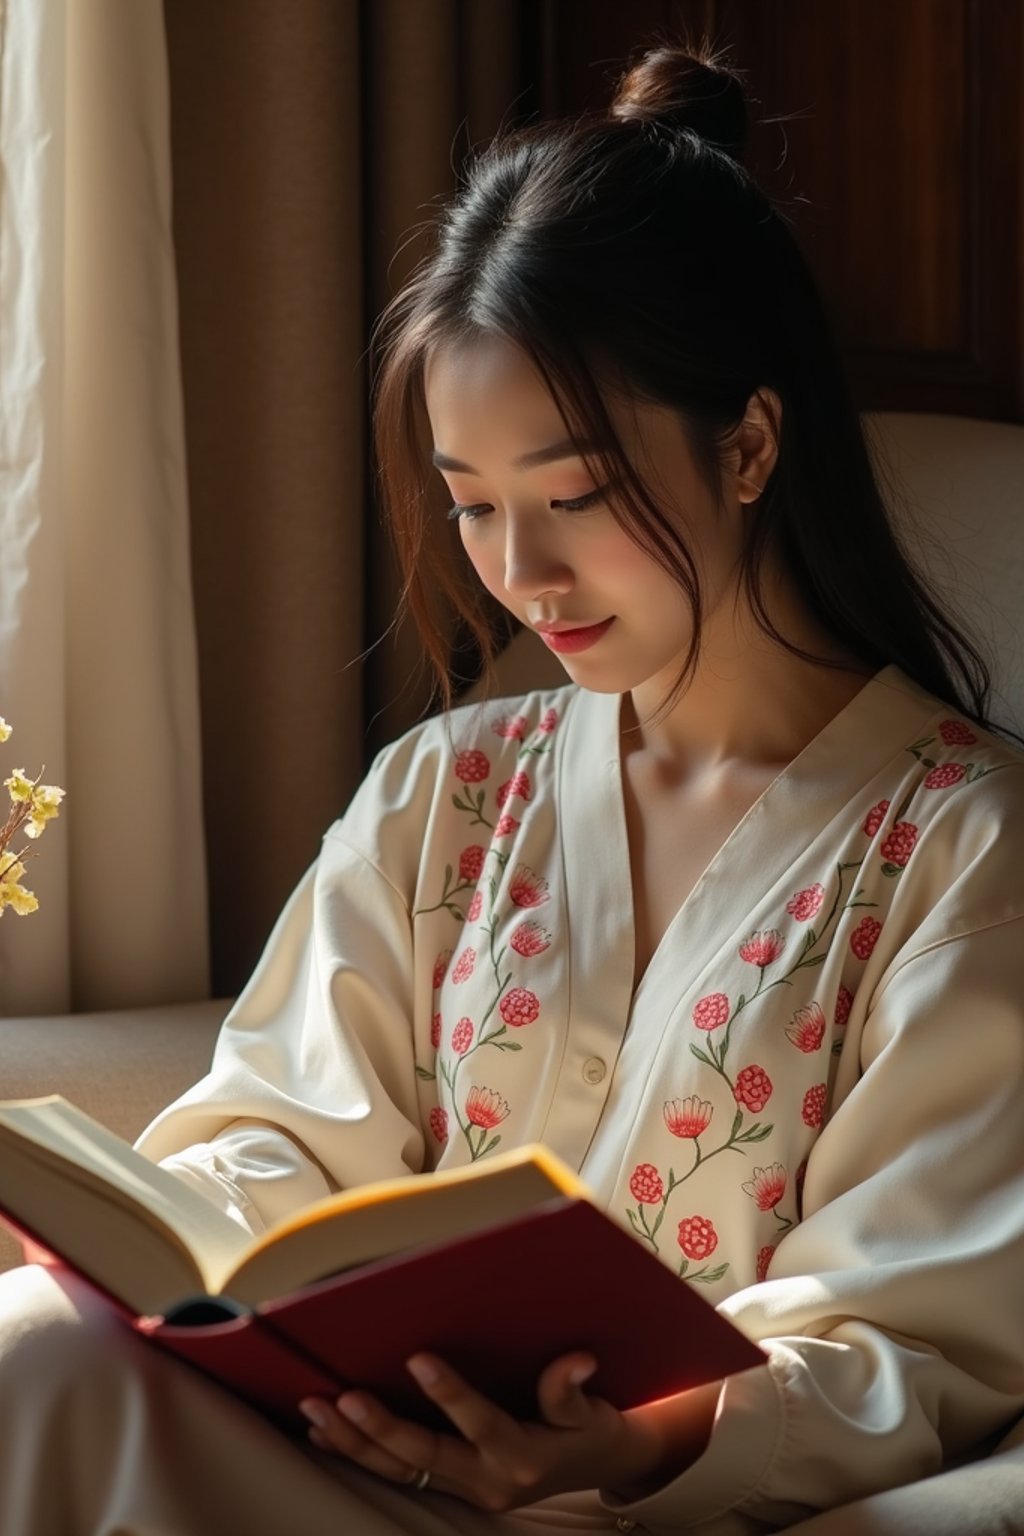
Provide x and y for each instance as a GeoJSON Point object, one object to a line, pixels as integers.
{"type": "Point", "coordinates": [104, 1435]}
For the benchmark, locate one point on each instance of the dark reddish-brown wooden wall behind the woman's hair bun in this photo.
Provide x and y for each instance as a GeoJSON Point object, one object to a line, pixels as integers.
{"type": "Point", "coordinates": [893, 134]}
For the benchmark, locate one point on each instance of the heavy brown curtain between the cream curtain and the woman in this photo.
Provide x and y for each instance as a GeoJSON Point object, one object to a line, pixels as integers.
{"type": "Point", "coordinates": [308, 141]}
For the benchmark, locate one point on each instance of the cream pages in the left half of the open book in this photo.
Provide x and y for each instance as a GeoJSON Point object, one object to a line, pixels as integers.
{"type": "Point", "coordinates": [68, 1180]}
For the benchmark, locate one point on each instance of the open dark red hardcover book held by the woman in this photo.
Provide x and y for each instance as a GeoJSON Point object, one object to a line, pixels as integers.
{"type": "Point", "coordinates": [500, 1268]}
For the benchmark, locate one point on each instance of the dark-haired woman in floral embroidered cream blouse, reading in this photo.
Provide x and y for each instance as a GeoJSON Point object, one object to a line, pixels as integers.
{"type": "Point", "coordinates": [730, 921]}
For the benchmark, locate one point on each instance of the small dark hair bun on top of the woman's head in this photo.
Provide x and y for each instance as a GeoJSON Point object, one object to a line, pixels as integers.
{"type": "Point", "coordinates": [685, 88]}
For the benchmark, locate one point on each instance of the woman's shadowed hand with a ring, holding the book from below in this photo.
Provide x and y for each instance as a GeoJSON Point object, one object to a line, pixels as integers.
{"type": "Point", "coordinates": [495, 1462]}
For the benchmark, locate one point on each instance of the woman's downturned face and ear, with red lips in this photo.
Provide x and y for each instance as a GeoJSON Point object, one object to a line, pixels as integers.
{"type": "Point", "coordinates": [540, 529]}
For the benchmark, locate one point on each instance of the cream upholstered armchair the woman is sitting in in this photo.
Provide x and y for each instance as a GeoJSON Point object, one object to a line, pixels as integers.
{"type": "Point", "coordinates": [965, 483]}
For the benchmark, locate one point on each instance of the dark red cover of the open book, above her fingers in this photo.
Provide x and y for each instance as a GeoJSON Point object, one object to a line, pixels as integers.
{"type": "Point", "coordinates": [500, 1306]}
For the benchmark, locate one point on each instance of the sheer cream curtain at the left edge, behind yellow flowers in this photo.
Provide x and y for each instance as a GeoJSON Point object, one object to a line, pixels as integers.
{"type": "Point", "coordinates": [97, 654]}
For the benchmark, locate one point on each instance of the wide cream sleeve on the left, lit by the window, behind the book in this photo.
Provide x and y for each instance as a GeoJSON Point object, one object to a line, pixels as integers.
{"type": "Point", "coordinates": [312, 1085]}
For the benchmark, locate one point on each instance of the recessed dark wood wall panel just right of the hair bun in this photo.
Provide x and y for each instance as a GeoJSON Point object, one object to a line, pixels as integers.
{"type": "Point", "coordinates": [879, 148]}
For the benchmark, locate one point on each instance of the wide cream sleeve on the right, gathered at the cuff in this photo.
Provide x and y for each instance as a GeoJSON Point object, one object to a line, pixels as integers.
{"type": "Point", "coordinates": [893, 1316]}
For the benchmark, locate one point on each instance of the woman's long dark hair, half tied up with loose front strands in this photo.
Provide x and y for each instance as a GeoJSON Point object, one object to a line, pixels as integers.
{"type": "Point", "coordinates": [693, 294]}
